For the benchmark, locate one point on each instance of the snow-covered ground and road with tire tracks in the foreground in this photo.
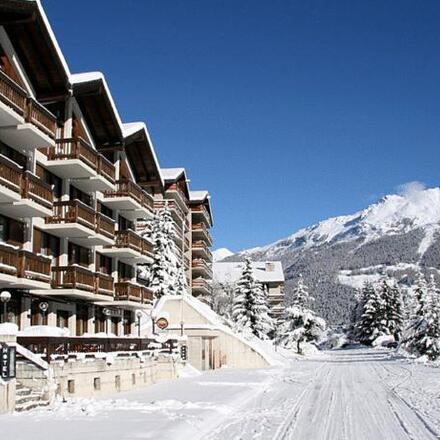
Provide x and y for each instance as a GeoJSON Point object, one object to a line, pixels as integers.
{"type": "Point", "coordinates": [344, 394]}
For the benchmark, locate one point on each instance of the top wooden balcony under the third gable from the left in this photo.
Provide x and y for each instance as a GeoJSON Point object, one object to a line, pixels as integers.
{"type": "Point", "coordinates": [129, 198]}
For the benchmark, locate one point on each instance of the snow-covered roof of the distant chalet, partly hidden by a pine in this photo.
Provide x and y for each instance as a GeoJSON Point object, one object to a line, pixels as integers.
{"type": "Point", "coordinates": [264, 271]}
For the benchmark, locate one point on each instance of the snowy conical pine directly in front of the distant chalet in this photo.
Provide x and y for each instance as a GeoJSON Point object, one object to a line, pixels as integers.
{"type": "Point", "coordinates": [250, 311]}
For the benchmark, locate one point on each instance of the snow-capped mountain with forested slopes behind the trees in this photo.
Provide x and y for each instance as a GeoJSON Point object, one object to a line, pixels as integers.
{"type": "Point", "coordinates": [396, 235]}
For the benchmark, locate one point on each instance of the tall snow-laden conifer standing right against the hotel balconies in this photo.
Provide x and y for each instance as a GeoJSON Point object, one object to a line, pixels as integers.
{"type": "Point", "coordinates": [163, 276]}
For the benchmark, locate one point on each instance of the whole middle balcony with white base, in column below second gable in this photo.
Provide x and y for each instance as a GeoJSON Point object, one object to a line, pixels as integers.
{"type": "Point", "coordinates": [81, 223]}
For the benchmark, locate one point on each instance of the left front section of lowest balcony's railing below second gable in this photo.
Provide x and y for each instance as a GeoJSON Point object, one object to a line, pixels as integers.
{"type": "Point", "coordinates": [73, 277]}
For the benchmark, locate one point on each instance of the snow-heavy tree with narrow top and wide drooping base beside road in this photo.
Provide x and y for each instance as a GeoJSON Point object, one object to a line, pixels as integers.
{"type": "Point", "coordinates": [300, 323]}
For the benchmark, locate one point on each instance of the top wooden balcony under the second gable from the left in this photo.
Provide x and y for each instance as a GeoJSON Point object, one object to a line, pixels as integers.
{"type": "Point", "coordinates": [74, 158]}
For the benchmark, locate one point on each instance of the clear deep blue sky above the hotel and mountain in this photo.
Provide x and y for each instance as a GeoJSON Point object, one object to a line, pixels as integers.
{"type": "Point", "coordinates": [289, 112]}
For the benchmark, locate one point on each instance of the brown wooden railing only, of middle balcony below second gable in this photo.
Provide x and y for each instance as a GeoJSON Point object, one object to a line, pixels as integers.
{"type": "Point", "coordinates": [74, 211]}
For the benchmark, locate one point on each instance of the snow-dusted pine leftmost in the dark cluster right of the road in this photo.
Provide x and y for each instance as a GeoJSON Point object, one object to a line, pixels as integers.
{"type": "Point", "coordinates": [371, 323]}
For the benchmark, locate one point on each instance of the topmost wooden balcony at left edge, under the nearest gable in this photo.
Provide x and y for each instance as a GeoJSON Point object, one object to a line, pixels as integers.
{"type": "Point", "coordinates": [26, 123]}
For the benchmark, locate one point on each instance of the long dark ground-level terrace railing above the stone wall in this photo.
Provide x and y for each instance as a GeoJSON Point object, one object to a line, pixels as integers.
{"type": "Point", "coordinates": [53, 347]}
